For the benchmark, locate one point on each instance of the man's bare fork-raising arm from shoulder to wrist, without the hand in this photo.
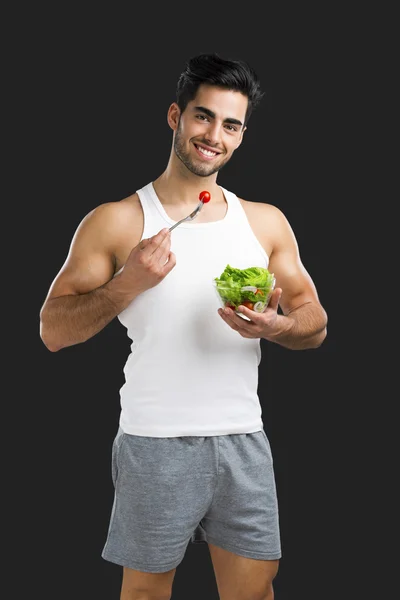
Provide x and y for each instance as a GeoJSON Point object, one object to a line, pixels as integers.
{"type": "Point", "coordinates": [84, 297]}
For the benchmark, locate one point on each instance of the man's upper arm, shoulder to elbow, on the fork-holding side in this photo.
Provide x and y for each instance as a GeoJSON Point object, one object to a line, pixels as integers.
{"type": "Point", "coordinates": [90, 261]}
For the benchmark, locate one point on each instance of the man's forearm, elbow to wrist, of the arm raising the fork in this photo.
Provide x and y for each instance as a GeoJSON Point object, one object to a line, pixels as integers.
{"type": "Point", "coordinates": [73, 319]}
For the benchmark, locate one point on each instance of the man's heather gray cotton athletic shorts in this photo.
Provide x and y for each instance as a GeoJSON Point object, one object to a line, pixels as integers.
{"type": "Point", "coordinates": [174, 490]}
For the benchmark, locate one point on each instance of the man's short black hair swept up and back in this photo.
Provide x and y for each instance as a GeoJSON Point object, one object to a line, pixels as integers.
{"type": "Point", "coordinates": [211, 69]}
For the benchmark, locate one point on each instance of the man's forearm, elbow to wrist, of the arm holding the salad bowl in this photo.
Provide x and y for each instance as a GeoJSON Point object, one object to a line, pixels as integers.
{"type": "Point", "coordinates": [302, 328]}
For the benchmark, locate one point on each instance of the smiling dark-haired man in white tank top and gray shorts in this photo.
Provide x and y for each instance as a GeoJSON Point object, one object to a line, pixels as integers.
{"type": "Point", "coordinates": [191, 460]}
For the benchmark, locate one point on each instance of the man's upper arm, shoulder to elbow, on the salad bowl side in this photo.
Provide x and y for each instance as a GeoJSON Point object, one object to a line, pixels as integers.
{"type": "Point", "coordinates": [290, 273]}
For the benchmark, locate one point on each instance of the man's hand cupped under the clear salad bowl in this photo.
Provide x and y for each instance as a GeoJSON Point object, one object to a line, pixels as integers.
{"type": "Point", "coordinates": [261, 325]}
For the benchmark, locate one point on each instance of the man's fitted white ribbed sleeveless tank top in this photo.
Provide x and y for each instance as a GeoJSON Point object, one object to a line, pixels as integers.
{"type": "Point", "coordinates": [188, 372]}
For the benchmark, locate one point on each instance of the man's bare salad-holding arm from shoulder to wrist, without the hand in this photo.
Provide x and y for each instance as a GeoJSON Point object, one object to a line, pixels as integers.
{"type": "Point", "coordinates": [304, 321]}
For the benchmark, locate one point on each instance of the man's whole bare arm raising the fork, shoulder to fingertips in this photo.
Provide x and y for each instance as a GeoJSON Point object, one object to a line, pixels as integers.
{"type": "Point", "coordinates": [85, 296]}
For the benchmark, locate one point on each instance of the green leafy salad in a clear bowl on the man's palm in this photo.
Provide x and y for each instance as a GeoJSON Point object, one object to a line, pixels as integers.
{"type": "Point", "coordinates": [250, 287]}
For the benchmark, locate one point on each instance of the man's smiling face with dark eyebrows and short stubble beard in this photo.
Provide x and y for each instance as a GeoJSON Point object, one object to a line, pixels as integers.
{"type": "Point", "coordinates": [210, 129]}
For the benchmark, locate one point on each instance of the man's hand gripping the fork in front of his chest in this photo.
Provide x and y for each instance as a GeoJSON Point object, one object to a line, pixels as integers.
{"type": "Point", "coordinates": [150, 261]}
